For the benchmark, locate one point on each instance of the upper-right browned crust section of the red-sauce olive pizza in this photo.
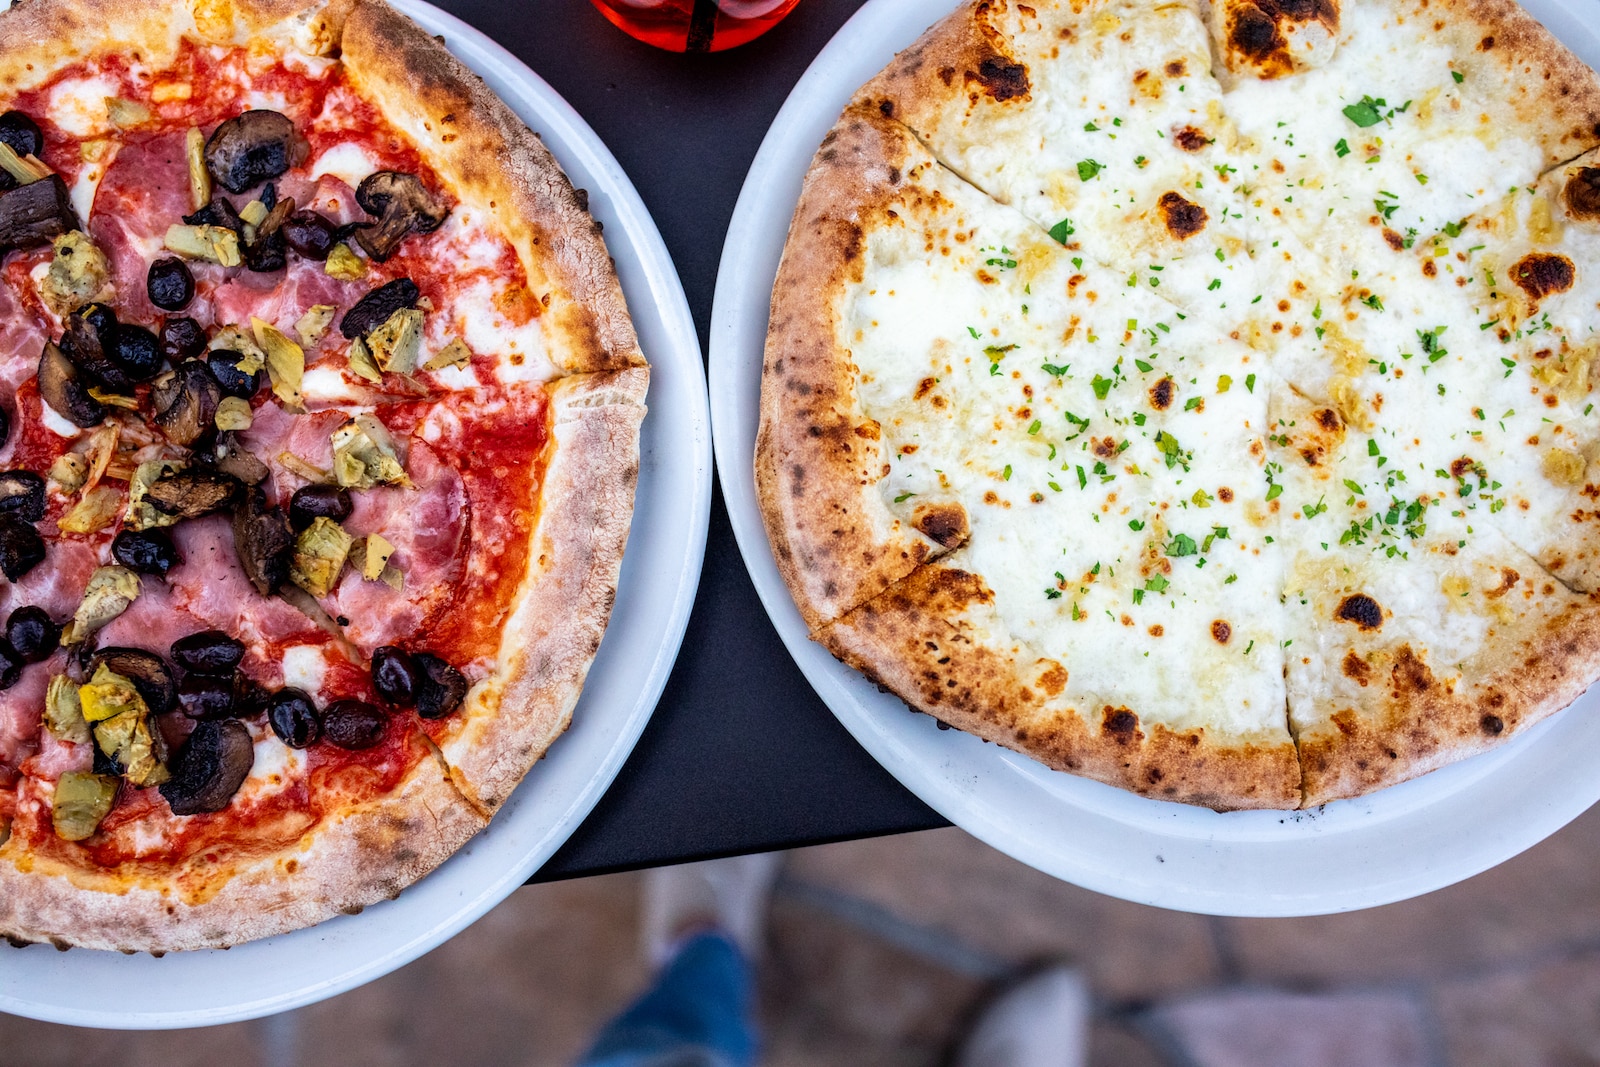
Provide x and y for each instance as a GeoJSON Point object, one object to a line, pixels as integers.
{"type": "Point", "coordinates": [494, 161]}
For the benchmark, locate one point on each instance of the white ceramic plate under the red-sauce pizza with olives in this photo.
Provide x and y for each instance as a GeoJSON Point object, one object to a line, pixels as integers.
{"type": "Point", "coordinates": [660, 577]}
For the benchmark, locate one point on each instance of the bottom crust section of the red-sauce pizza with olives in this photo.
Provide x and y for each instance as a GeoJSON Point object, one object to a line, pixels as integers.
{"type": "Point", "coordinates": [358, 860]}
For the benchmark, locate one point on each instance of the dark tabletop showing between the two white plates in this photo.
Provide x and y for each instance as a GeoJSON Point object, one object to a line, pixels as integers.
{"type": "Point", "coordinates": [742, 756]}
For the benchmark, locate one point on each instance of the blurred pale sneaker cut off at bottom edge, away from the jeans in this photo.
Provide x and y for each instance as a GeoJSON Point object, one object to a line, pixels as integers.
{"type": "Point", "coordinates": [1041, 1023]}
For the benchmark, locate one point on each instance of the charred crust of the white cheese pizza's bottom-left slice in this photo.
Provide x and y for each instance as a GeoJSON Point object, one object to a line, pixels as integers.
{"type": "Point", "coordinates": [938, 642]}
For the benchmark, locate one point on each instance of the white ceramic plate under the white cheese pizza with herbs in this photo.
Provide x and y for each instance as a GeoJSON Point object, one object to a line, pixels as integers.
{"type": "Point", "coordinates": [1356, 853]}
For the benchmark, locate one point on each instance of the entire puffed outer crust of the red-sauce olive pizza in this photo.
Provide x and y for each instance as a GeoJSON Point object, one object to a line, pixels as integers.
{"type": "Point", "coordinates": [490, 159]}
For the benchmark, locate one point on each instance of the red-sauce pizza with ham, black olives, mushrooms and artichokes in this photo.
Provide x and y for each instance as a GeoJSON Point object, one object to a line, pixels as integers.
{"type": "Point", "coordinates": [319, 434]}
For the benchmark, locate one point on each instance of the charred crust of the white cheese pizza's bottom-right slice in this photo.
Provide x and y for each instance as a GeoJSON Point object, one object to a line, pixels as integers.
{"type": "Point", "coordinates": [1412, 714]}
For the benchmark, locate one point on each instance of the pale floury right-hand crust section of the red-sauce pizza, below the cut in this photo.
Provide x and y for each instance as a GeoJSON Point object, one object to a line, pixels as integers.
{"type": "Point", "coordinates": [551, 639]}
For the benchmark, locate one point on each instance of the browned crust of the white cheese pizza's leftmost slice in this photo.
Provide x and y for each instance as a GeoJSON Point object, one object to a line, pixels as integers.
{"type": "Point", "coordinates": [818, 457]}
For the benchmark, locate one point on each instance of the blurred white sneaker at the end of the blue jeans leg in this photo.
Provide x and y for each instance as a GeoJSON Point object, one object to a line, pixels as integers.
{"type": "Point", "coordinates": [727, 895]}
